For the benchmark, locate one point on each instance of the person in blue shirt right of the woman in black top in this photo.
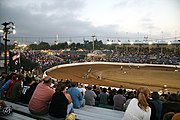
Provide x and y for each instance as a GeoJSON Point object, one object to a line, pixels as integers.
{"type": "Point", "coordinates": [76, 96]}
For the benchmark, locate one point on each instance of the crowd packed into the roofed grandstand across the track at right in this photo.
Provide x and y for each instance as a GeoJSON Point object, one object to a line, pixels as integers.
{"type": "Point", "coordinates": [147, 55]}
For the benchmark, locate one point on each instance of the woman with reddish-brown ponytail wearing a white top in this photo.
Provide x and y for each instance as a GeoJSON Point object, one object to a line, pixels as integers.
{"type": "Point", "coordinates": [138, 108]}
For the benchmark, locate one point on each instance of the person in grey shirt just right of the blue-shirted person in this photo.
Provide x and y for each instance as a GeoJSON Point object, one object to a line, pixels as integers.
{"type": "Point", "coordinates": [90, 96]}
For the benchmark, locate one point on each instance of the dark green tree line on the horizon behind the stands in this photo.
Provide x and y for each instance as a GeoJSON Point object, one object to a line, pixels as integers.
{"type": "Point", "coordinates": [86, 45]}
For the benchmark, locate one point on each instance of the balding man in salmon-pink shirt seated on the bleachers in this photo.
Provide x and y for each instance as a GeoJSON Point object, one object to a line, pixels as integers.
{"type": "Point", "coordinates": [41, 98]}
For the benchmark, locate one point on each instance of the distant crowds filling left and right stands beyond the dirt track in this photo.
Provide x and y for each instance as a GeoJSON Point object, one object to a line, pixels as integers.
{"type": "Point", "coordinates": [36, 59]}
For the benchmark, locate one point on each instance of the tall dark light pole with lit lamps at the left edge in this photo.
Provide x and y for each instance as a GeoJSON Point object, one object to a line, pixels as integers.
{"type": "Point", "coordinates": [9, 27]}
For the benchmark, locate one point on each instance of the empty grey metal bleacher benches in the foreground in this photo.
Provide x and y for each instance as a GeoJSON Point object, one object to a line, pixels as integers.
{"type": "Point", "coordinates": [84, 113]}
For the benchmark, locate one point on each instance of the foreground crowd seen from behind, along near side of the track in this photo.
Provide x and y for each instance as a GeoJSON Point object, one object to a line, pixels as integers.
{"type": "Point", "coordinates": [33, 90]}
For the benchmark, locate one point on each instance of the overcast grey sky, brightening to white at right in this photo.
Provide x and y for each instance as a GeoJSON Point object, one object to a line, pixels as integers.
{"type": "Point", "coordinates": [78, 19]}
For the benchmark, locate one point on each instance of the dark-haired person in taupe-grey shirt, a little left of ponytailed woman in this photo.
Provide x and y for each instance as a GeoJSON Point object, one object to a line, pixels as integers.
{"type": "Point", "coordinates": [119, 100]}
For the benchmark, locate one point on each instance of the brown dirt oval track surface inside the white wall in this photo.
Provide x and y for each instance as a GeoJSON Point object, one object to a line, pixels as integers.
{"type": "Point", "coordinates": [129, 77]}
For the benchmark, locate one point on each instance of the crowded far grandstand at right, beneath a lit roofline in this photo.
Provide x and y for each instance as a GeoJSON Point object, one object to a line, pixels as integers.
{"type": "Point", "coordinates": [156, 53]}
